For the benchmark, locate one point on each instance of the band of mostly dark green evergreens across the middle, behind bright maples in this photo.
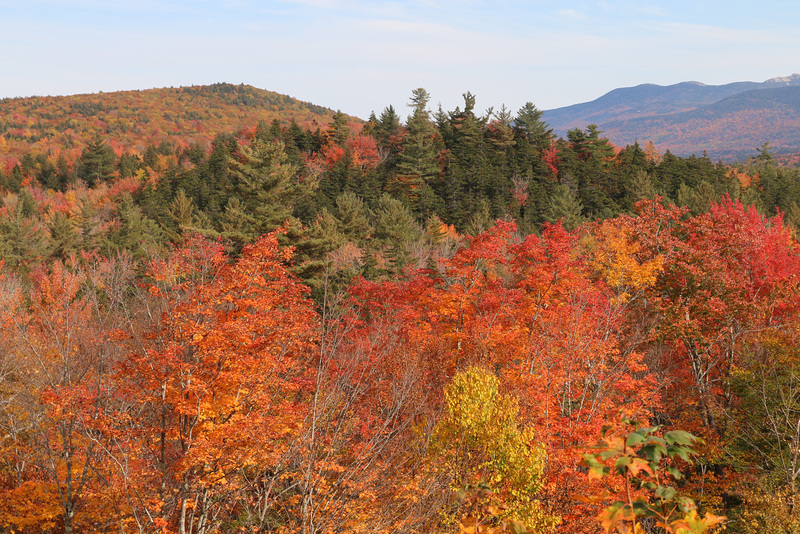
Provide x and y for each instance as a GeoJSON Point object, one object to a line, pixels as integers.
{"type": "Point", "coordinates": [386, 188]}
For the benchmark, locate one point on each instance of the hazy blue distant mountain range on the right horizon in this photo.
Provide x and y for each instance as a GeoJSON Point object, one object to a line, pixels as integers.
{"type": "Point", "coordinates": [727, 121]}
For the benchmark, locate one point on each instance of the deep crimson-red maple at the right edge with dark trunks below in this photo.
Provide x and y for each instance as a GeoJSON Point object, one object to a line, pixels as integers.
{"type": "Point", "coordinates": [728, 275]}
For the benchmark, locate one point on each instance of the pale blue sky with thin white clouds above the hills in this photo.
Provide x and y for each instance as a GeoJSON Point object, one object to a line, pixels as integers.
{"type": "Point", "coordinates": [360, 56]}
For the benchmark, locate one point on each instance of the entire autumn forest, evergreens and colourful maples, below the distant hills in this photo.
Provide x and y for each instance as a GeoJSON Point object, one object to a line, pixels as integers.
{"type": "Point", "coordinates": [449, 323]}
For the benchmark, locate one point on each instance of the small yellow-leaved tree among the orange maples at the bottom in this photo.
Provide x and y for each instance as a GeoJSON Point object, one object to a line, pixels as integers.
{"type": "Point", "coordinates": [495, 468]}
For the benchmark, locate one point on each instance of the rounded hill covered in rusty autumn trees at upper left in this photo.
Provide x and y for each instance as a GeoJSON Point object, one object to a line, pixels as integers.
{"type": "Point", "coordinates": [130, 120]}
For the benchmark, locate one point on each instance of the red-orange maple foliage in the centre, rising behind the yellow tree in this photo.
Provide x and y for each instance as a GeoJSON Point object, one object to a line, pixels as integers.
{"type": "Point", "coordinates": [531, 311]}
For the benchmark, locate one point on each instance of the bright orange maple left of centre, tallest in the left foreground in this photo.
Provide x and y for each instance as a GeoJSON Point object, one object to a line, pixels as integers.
{"type": "Point", "coordinates": [223, 383]}
